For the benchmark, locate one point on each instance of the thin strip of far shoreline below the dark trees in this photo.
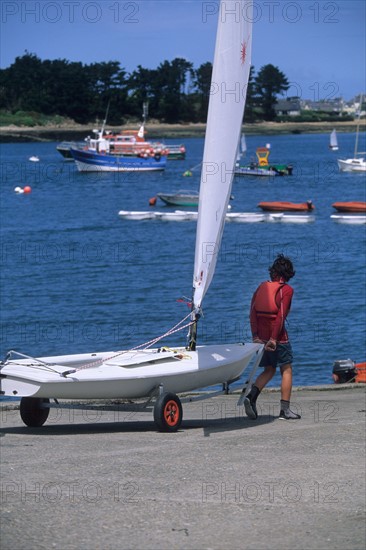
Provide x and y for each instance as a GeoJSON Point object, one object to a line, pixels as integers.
{"type": "Point", "coordinates": [68, 132]}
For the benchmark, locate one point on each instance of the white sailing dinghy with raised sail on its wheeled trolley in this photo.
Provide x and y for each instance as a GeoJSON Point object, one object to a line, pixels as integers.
{"type": "Point", "coordinates": [161, 373]}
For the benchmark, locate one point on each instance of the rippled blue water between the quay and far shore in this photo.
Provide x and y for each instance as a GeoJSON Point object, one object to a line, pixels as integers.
{"type": "Point", "coordinates": [76, 278]}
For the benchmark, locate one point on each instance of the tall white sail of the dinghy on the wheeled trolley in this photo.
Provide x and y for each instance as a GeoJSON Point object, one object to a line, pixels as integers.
{"type": "Point", "coordinates": [225, 115]}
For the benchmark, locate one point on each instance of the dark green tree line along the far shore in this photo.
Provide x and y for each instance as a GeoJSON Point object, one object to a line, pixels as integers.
{"type": "Point", "coordinates": [175, 90]}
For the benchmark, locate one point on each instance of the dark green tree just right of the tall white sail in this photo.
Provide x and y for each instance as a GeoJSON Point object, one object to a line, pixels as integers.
{"type": "Point", "coordinates": [269, 82]}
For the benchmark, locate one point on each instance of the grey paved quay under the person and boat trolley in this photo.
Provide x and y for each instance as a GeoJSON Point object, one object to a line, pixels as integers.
{"type": "Point", "coordinates": [93, 480]}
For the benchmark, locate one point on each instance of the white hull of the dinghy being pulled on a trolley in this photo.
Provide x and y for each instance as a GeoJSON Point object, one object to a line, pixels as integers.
{"type": "Point", "coordinates": [126, 375]}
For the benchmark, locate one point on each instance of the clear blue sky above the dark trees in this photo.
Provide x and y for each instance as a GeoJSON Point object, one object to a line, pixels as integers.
{"type": "Point", "coordinates": [319, 45]}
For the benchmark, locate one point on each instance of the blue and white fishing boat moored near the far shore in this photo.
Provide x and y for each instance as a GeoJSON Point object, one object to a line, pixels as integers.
{"type": "Point", "coordinates": [97, 157]}
